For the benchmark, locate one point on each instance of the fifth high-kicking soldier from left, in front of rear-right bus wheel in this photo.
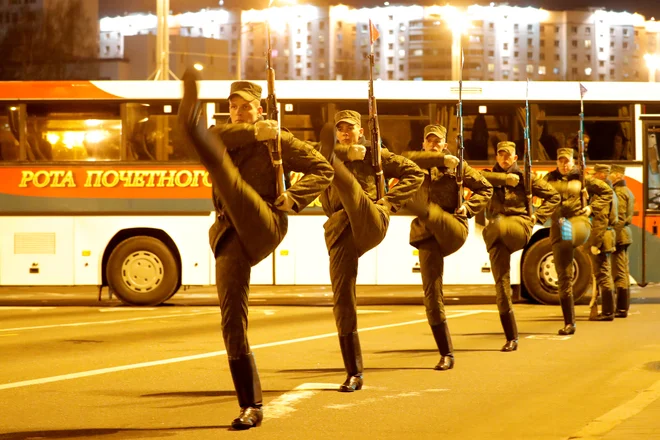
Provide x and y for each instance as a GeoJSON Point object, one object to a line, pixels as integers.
{"type": "Point", "coordinates": [570, 226]}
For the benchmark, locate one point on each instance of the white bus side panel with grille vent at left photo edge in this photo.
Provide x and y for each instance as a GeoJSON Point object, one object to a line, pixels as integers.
{"type": "Point", "coordinates": [36, 251]}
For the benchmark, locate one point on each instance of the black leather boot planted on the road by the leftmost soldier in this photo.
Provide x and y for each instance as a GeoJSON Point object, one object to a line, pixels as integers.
{"type": "Point", "coordinates": [248, 390]}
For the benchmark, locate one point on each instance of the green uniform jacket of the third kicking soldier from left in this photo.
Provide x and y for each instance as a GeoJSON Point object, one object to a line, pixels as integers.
{"type": "Point", "coordinates": [440, 187]}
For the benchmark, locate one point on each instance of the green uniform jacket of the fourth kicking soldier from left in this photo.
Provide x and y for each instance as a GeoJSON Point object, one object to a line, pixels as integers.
{"type": "Point", "coordinates": [509, 200]}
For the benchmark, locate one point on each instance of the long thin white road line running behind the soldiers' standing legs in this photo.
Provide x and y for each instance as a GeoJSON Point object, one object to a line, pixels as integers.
{"type": "Point", "coordinates": [44, 380]}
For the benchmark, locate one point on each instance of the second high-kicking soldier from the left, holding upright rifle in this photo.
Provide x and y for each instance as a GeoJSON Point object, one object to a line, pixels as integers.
{"type": "Point", "coordinates": [357, 222]}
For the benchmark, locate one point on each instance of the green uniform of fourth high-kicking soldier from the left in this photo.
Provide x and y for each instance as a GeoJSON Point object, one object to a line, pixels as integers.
{"type": "Point", "coordinates": [509, 225]}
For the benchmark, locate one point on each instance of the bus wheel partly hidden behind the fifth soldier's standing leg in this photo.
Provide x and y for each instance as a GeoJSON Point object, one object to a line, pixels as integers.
{"type": "Point", "coordinates": [540, 276]}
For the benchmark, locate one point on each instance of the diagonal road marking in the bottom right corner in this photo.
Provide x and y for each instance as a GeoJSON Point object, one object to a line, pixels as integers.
{"type": "Point", "coordinates": [608, 421]}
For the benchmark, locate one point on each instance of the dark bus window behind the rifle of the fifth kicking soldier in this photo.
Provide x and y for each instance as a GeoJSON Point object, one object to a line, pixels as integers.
{"type": "Point", "coordinates": [607, 130]}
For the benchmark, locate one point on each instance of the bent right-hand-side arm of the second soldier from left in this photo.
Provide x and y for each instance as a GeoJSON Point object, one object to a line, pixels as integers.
{"type": "Point", "coordinates": [410, 178]}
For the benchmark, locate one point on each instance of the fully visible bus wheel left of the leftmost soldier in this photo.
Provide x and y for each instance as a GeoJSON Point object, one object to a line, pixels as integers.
{"type": "Point", "coordinates": [142, 271]}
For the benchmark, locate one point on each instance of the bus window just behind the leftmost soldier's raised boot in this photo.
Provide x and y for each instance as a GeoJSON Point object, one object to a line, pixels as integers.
{"type": "Point", "coordinates": [152, 133]}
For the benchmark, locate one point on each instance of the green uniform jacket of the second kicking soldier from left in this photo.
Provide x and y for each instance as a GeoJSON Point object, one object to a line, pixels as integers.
{"type": "Point", "coordinates": [409, 177]}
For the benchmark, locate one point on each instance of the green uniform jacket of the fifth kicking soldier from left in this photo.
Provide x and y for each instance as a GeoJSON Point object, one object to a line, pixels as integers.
{"type": "Point", "coordinates": [569, 188]}
